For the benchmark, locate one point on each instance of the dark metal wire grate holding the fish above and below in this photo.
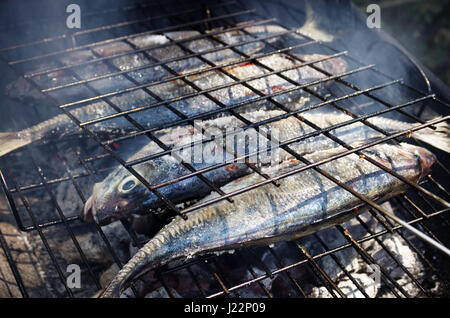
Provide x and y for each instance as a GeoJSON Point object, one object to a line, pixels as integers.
{"type": "Point", "coordinates": [231, 20]}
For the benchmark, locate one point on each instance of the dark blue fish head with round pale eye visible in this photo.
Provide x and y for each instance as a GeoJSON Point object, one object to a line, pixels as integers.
{"type": "Point", "coordinates": [119, 195]}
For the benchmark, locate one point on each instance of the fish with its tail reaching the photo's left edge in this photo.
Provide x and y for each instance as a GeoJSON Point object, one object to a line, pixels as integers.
{"type": "Point", "coordinates": [61, 125]}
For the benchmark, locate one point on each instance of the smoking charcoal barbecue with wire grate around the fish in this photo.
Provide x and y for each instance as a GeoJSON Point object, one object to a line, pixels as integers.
{"type": "Point", "coordinates": [45, 185]}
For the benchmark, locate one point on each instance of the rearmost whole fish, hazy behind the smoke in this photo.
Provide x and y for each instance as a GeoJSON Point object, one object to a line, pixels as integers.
{"type": "Point", "coordinates": [101, 60]}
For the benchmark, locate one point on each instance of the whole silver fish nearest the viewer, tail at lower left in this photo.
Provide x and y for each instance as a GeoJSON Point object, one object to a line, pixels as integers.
{"type": "Point", "coordinates": [304, 202]}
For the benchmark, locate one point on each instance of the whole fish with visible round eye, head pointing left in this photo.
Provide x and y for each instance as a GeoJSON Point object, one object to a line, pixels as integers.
{"type": "Point", "coordinates": [110, 202]}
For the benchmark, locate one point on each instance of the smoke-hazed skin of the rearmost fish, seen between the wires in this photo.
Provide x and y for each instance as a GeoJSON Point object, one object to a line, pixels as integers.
{"type": "Point", "coordinates": [25, 92]}
